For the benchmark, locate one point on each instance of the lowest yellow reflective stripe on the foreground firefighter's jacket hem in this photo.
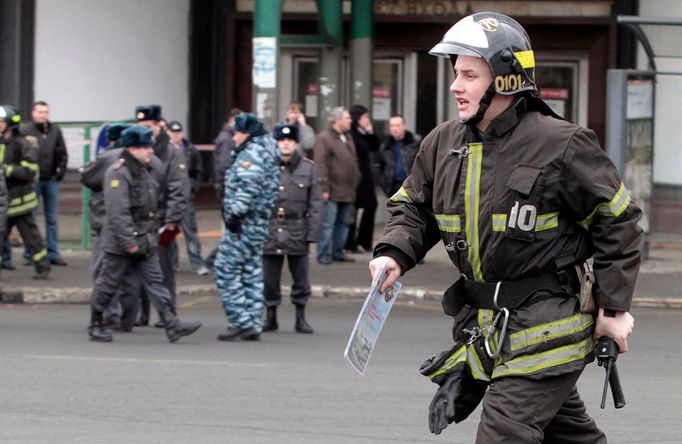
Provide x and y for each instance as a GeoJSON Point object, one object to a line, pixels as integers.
{"type": "Point", "coordinates": [528, 364]}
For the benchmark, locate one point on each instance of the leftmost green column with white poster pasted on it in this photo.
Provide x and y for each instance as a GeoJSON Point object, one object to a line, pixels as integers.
{"type": "Point", "coordinates": [266, 35]}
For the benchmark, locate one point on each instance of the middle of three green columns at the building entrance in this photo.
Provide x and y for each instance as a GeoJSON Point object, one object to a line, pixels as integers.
{"type": "Point", "coordinates": [331, 26]}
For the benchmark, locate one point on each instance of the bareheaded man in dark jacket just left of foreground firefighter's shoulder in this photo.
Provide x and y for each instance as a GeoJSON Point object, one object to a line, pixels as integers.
{"type": "Point", "coordinates": [397, 154]}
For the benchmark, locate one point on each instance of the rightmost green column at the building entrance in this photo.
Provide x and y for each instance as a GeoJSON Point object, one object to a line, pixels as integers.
{"type": "Point", "coordinates": [361, 52]}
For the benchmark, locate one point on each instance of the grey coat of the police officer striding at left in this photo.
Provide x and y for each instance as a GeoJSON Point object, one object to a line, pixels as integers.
{"type": "Point", "coordinates": [131, 200]}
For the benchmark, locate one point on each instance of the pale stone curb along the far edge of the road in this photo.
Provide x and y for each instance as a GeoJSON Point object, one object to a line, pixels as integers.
{"type": "Point", "coordinates": [79, 295]}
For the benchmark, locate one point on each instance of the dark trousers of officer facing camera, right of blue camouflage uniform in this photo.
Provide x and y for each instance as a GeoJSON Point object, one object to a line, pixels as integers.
{"type": "Point", "coordinates": [272, 274]}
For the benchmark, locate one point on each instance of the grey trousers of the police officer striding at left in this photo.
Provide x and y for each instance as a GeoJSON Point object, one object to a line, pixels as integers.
{"type": "Point", "coordinates": [113, 272]}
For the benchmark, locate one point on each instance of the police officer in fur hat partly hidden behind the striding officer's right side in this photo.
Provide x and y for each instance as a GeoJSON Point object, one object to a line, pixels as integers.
{"type": "Point", "coordinates": [175, 196]}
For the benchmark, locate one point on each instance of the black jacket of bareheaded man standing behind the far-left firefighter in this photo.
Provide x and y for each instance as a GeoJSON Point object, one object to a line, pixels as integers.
{"type": "Point", "coordinates": [52, 155]}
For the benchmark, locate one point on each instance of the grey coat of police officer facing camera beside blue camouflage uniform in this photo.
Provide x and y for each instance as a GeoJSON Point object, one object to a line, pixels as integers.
{"type": "Point", "coordinates": [297, 216]}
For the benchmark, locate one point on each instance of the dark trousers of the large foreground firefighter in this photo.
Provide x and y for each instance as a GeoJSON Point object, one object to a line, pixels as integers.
{"type": "Point", "coordinates": [549, 410]}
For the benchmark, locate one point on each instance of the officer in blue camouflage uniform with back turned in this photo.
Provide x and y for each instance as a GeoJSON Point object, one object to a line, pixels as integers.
{"type": "Point", "coordinates": [250, 191]}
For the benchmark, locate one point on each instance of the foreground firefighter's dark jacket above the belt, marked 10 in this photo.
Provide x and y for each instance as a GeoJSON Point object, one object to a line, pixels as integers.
{"type": "Point", "coordinates": [536, 192]}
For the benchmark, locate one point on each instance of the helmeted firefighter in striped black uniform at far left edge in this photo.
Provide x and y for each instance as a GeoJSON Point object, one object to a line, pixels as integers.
{"type": "Point", "coordinates": [19, 158]}
